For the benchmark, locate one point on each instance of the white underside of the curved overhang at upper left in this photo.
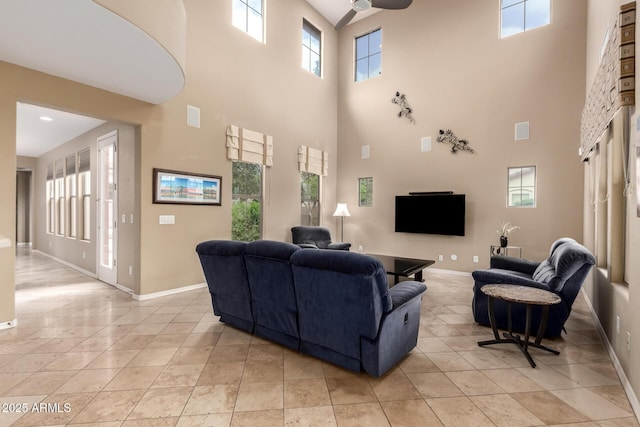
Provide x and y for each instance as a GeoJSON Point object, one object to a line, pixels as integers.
{"type": "Point", "coordinates": [83, 41]}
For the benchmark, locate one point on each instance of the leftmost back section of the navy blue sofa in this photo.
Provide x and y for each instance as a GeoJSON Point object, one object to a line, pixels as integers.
{"type": "Point", "coordinates": [224, 268]}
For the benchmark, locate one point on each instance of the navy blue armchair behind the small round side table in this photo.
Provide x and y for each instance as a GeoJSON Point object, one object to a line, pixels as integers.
{"type": "Point", "coordinates": [562, 273]}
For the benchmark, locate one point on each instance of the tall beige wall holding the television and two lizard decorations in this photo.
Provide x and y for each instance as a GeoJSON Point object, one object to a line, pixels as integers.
{"type": "Point", "coordinates": [446, 56]}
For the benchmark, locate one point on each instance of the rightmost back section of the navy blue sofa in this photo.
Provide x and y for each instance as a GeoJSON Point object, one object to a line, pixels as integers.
{"type": "Point", "coordinates": [341, 296]}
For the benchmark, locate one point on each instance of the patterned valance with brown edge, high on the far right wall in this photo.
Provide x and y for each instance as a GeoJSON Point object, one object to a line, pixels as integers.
{"type": "Point", "coordinates": [614, 83]}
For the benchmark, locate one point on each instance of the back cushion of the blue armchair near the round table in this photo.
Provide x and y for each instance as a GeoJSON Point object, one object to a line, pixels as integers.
{"type": "Point", "coordinates": [564, 262]}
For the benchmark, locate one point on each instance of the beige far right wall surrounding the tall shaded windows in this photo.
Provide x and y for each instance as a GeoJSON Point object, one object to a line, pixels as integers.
{"type": "Point", "coordinates": [612, 299]}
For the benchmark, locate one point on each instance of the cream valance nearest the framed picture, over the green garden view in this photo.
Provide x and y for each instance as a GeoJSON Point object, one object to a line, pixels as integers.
{"type": "Point", "coordinates": [249, 146]}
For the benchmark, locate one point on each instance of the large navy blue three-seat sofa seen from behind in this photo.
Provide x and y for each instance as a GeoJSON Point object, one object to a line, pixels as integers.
{"type": "Point", "coordinates": [334, 305]}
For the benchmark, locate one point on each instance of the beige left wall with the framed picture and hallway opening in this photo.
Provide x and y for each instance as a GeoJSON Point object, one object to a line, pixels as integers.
{"type": "Point", "coordinates": [233, 80]}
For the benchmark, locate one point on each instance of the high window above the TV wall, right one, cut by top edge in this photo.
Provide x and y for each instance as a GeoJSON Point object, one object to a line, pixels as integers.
{"type": "Point", "coordinates": [523, 15]}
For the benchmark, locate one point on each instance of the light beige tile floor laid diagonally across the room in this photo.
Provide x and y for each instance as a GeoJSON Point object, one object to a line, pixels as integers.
{"type": "Point", "coordinates": [85, 353]}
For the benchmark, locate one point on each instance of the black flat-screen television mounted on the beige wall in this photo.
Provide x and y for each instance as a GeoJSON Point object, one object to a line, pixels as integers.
{"type": "Point", "coordinates": [431, 213]}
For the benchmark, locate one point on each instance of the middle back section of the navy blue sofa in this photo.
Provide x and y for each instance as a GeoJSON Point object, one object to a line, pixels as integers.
{"type": "Point", "coordinates": [273, 300]}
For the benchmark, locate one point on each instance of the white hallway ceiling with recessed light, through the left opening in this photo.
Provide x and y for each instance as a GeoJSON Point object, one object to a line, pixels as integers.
{"type": "Point", "coordinates": [35, 137]}
